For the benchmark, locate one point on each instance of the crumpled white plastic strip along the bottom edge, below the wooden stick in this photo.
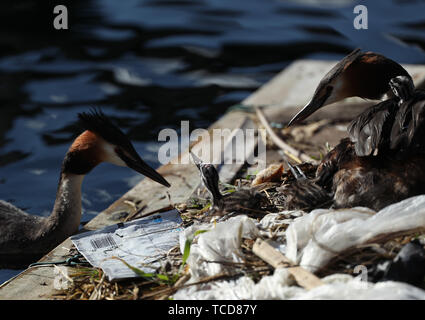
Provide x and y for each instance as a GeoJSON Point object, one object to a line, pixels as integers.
{"type": "Point", "coordinates": [279, 287]}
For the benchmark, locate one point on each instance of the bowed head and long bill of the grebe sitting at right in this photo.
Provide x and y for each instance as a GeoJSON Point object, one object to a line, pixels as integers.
{"type": "Point", "coordinates": [365, 75]}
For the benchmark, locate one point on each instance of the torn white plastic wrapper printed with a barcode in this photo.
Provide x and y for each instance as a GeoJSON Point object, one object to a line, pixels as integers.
{"type": "Point", "coordinates": [140, 243]}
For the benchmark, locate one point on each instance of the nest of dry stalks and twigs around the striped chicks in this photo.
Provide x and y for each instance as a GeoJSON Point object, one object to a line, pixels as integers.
{"type": "Point", "coordinates": [91, 284]}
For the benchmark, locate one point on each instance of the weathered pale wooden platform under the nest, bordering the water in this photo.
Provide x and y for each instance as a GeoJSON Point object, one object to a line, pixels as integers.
{"type": "Point", "coordinates": [280, 98]}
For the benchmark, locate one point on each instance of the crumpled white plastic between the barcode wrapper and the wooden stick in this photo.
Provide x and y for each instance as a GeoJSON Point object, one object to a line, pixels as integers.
{"type": "Point", "coordinates": [219, 245]}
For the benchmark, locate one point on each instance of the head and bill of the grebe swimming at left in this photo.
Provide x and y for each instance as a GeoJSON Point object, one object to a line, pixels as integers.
{"type": "Point", "coordinates": [102, 141]}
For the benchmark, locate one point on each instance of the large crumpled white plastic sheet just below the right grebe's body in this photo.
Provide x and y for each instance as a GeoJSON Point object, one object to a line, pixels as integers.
{"type": "Point", "coordinates": [313, 239]}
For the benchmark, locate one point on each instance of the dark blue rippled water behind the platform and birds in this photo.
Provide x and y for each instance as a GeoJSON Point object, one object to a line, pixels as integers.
{"type": "Point", "coordinates": [150, 64]}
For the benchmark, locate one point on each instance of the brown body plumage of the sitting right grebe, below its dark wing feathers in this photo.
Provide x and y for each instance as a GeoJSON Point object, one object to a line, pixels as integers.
{"type": "Point", "coordinates": [372, 181]}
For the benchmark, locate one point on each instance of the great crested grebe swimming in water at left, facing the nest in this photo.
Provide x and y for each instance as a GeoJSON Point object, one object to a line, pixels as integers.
{"type": "Point", "coordinates": [23, 237]}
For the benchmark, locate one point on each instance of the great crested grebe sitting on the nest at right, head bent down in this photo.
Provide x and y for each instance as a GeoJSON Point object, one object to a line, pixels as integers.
{"type": "Point", "coordinates": [383, 160]}
